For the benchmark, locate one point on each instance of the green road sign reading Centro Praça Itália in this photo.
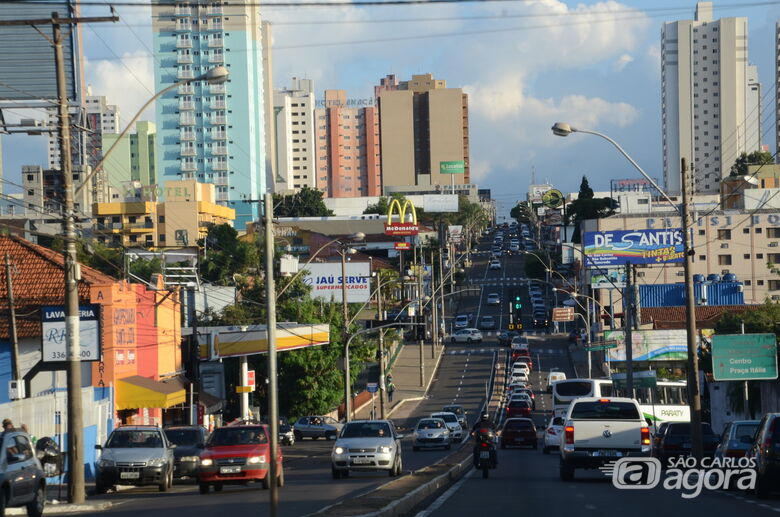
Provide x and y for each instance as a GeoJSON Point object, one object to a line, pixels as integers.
{"type": "Point", "coordinates": [744, 357]}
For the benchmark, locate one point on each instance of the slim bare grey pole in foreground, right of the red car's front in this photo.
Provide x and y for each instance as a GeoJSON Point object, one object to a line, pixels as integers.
{"type": "Point", "coordinates": [273, 405]}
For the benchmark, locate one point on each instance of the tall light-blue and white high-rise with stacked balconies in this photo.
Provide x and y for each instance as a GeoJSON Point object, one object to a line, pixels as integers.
{"type": "Point", "coordinates": [213, 133]}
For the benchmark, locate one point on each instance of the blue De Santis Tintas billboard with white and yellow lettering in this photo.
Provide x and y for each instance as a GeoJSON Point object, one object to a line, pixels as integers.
{"type": "Point", "coordinates": [617, 248]}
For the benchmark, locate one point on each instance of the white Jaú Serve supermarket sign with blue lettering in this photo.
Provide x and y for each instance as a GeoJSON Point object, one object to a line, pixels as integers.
{"type": "Point", "coordinates": [325, 281]}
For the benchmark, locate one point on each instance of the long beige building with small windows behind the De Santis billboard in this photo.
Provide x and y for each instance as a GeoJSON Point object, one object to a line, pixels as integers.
{"type": "Point", "coordinates": [742, 242]}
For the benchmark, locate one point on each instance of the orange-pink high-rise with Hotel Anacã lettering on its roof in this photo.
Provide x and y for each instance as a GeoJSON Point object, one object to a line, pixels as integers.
{"type": "Point", "coordinates": [347, 154]}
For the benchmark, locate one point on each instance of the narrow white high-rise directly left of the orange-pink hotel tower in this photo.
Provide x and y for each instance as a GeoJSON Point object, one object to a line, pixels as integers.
{"type": "Point", "coordinates": [294, 126]}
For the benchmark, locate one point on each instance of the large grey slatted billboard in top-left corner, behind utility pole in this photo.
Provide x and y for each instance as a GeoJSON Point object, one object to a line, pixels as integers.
{"type": "Point", "coordinates": [27, 63]}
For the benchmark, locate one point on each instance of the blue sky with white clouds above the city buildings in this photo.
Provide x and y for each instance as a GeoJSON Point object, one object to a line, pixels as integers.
{"type": "Point", "coordinates": [525, 64]}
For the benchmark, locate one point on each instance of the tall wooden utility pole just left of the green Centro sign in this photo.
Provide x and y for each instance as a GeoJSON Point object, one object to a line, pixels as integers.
{"type": "Point", "coordinates": [694, 395]}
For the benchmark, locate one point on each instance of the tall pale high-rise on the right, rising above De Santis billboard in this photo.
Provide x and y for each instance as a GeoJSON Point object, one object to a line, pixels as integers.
{"type": "Point", "coordinates": [710, 95]}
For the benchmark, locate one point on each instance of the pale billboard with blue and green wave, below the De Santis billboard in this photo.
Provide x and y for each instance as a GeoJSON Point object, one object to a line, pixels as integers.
{"type": "Point", "coordinates": [652, 345]}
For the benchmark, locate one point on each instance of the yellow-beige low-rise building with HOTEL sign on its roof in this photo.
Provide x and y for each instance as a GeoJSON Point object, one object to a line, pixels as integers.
{"type": "Point", "coordinates": [183, 218]}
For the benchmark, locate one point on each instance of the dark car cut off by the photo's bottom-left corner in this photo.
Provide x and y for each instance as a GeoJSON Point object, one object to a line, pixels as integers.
{"type": "Point", "coordinates": [22, 477]}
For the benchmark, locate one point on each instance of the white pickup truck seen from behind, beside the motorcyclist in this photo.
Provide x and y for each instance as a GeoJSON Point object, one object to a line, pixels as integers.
{"type": "Point", "coordinates": [599, 430]}
